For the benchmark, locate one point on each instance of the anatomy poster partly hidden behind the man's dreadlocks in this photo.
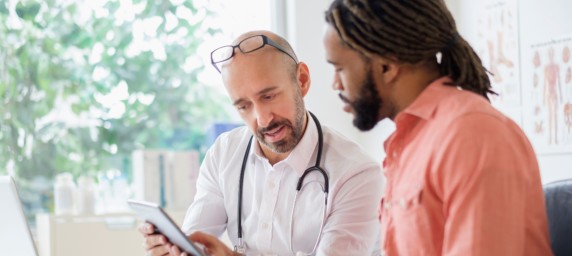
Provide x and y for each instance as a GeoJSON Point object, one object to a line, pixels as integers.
{"type": "Point", "coordinates": [497, 46]}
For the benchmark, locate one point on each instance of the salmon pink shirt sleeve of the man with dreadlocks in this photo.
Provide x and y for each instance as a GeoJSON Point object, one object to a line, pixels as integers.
{"type": "Point", "coordinates": [483, 173]}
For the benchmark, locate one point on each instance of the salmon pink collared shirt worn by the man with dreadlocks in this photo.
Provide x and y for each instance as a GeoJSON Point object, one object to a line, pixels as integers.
{"type": "Point", "coordinates": [462, 179]}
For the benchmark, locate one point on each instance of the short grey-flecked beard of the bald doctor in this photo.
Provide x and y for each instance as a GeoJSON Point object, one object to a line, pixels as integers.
{"type": "Point", "coordinates": [289, 142]}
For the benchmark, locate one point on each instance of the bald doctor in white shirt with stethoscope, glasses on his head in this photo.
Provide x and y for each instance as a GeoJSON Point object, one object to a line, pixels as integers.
{"type": "Point", "coordinates": [284, 184]}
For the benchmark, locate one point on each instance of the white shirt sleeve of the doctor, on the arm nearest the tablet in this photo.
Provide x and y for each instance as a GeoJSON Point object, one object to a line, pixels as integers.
{"type": "Point", "coordinates": [207, 212]}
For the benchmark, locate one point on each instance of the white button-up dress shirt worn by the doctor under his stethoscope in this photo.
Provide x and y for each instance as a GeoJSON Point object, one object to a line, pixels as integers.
{"type": "Point", "coordinates": [351, 226]}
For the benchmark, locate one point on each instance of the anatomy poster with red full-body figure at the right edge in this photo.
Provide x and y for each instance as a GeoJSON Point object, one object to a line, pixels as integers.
{"type": "Point", "coordinates": [547, 97]}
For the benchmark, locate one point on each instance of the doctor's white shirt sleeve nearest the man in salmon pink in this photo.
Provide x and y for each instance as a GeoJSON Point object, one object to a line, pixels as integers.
{"type": "Point", "coordinates": [353, 228]}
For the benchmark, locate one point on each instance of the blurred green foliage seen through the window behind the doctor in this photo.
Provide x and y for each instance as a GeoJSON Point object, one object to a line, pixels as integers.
{"type": "Point", "coordinates": [81, 83]}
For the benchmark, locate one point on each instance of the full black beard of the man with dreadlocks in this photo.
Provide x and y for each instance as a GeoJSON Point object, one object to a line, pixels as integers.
{"type": "Point", "coordinates": [366, 106]}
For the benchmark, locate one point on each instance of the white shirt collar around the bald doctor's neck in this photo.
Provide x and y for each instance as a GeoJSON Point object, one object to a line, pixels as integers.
{"type": "Point", "coordinates": [302, 154]}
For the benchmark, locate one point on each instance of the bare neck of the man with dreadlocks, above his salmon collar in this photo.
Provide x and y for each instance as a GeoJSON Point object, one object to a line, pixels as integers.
{"type": "Point", "coordinates": [411, 84]}
